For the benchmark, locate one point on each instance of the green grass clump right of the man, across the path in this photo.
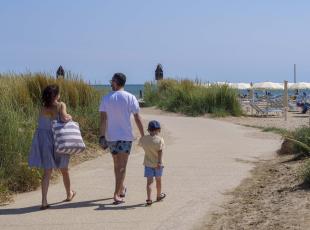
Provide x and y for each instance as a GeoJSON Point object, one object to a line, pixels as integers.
{"type": "Point", "coordinates": [191, 98]}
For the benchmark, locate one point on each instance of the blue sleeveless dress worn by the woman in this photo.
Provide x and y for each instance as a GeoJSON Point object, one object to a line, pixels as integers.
{"type": "Point", "coordinates": [42, 153]}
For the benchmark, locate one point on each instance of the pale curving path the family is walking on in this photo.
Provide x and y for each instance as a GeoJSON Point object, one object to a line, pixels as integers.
{"type": "Point", "coordinates": [204, 159]}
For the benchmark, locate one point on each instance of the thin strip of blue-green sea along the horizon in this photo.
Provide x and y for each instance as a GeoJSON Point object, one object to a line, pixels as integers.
{"type": "Point", "coordinates": [135, 89]}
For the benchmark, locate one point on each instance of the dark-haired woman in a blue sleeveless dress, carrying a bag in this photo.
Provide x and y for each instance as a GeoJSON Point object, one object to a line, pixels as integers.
{"type": "Point", "coordinates": [42, 153]}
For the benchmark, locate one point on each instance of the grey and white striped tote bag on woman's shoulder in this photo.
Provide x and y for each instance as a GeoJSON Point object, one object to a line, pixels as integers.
{"type": "Point", "coordinates": [67, 137]}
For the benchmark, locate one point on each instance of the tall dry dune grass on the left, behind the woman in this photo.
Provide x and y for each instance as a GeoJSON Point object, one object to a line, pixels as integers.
{"type": "Point", "coordinates": [20, 102]}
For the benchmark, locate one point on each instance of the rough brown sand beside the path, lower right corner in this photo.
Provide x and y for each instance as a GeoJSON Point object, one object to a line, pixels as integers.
{"type": "Point", "coordinates": [274, 197]}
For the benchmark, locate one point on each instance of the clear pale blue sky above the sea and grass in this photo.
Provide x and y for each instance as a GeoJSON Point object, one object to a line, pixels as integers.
{"type": "Point", "coordinates": [235, 41]}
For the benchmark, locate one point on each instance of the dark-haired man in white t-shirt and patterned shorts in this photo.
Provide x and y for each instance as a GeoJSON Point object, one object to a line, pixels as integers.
{"type": "Point", "coordinates": [116, 130]}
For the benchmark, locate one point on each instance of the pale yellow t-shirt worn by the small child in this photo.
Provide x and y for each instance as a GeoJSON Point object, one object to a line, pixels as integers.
{"type": "Point", "coordinates": [151, 145]}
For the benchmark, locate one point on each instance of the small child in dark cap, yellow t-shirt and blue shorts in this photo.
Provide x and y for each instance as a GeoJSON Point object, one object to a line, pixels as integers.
{"type": "Point", "coordinates": [153, 147]}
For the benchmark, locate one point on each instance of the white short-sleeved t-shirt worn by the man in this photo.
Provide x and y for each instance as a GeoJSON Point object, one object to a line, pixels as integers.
{"type": "Point", "coordinates": [119, 105]}
